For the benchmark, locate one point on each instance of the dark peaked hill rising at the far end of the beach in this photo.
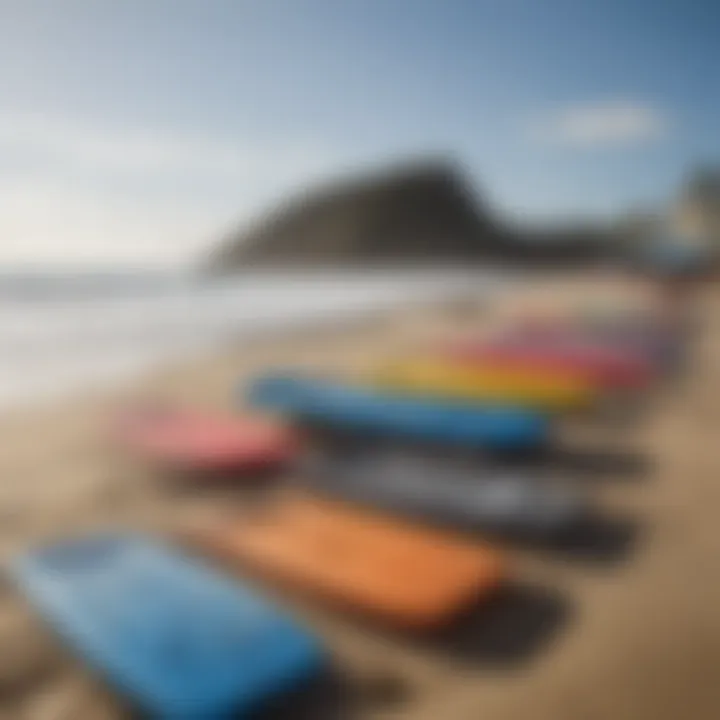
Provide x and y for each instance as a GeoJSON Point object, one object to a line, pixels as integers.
{"type": "Point", "coordinates": [418, 213]}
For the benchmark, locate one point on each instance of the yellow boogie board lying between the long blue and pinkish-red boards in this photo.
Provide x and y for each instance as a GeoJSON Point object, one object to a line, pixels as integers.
{"type": "Point", "coordinates": [492, 384]}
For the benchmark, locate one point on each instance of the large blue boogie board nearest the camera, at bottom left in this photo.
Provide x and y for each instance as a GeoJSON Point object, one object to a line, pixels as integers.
{"type": "Point", "coordinates": [180, 640]}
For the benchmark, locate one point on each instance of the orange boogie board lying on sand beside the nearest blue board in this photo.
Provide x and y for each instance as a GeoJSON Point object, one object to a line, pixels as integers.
{"type": "Point", "coordinates": [397, 572]}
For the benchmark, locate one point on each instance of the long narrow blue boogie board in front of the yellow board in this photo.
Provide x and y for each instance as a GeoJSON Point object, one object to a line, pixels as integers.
{"type": "Point", "coordinates": [358, 408]}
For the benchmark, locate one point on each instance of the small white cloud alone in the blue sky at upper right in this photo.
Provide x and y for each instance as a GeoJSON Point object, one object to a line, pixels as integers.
{"type": "Point", "coordinates": [602, 124]}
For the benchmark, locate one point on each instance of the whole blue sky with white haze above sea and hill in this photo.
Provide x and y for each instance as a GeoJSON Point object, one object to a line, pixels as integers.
{"type": "Point", "coordinates": [142, 131]}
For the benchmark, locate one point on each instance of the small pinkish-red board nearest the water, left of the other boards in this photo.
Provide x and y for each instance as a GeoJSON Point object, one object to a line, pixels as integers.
{"type": "Point", "coordinates": [194, 440]}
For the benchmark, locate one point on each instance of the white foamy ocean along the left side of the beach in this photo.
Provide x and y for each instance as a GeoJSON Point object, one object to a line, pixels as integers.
{"type": "Point", "coordinates": [71, 331]}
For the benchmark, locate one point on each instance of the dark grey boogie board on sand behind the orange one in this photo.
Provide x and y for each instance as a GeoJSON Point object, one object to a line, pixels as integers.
{"type": "Point", "coordinates": [491, 498]}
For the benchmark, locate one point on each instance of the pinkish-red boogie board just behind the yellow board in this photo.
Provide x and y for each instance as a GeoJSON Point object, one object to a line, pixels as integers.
{"type": "Point", "coordinates": [608, 367]}
